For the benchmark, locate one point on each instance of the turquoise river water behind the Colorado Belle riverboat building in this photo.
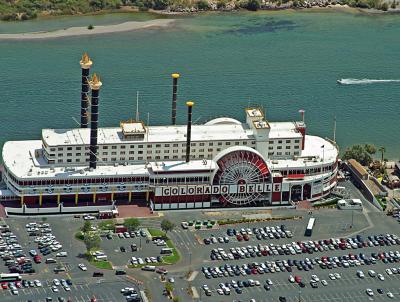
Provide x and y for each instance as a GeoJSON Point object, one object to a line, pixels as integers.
{"type": "Point", "coordinates": [284, 61]}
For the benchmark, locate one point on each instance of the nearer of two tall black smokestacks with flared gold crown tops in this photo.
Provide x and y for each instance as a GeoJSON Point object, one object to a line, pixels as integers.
{"type": "Point", "coordinates": [95, 85]}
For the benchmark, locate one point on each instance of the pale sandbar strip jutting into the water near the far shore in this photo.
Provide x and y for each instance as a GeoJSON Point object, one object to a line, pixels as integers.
{"type": "Point", "coordinates": [84, 31]}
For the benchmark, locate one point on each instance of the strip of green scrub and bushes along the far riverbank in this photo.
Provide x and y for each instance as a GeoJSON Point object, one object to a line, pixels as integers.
{"type": "Point", "coordinates": [20, 10]}
